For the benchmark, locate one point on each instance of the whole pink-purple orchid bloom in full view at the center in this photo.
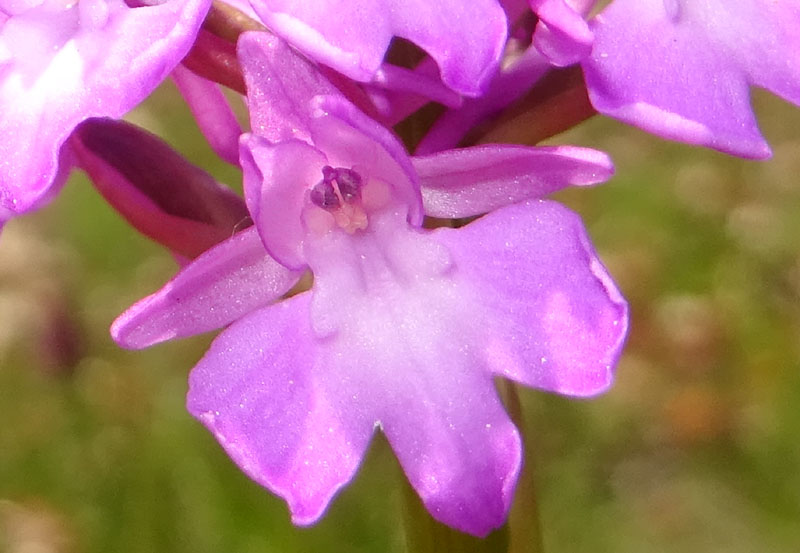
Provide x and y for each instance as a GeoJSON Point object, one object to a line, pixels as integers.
{"type": "Point", "coordinates": [404, 328]}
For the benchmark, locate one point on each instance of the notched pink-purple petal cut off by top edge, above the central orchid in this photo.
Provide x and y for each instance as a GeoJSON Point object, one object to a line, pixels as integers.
{"type": "Point", "coordinates": [465, 38]}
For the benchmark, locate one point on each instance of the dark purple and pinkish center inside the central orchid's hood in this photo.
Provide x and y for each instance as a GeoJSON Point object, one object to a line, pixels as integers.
{"type": "Point", "coordinates": [346, 198]}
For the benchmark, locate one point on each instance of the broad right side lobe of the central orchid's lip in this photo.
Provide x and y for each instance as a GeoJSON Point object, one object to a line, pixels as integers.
{"type": "Point", "coordinates": [551, 316]}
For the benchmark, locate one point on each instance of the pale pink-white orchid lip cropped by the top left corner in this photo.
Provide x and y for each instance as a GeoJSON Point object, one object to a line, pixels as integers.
{"type": "Point", "coordinates": [63, 62]}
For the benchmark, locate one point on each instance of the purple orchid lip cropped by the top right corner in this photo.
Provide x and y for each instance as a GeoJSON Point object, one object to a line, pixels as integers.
{"type": "Point", "coordinates": [683, 69]}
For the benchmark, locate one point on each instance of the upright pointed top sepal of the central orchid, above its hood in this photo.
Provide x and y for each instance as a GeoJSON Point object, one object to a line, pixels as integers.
{"type": "Point", "coordinates": [280, 87]}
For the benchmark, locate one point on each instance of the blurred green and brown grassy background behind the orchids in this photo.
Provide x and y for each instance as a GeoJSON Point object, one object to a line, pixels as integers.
{"type": "Point", "coordinates": [696, 448]}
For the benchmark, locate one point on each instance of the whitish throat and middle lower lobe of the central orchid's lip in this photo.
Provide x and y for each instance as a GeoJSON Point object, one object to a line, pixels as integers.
{"type": "Point", "coordinates": [395, 315]}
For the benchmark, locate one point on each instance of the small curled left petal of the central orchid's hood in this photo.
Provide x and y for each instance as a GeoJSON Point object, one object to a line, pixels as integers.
{"type": "Point", "coordinates": [277, 178]}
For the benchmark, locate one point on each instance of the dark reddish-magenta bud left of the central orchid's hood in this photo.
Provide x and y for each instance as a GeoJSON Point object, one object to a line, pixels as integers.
{"type": "Point", "coordinates": [155, 189]}
